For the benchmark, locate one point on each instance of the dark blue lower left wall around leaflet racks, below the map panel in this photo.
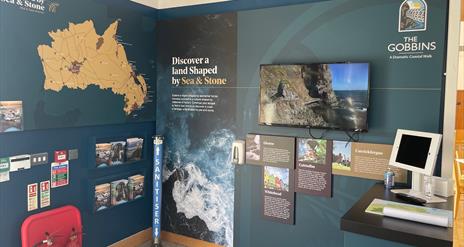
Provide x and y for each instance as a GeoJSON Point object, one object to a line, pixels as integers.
{"type": "Point", "coordinates": [100, 229]}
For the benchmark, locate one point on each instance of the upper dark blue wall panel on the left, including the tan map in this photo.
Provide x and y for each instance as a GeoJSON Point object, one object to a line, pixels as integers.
{"type": "Point", "coordinates": [76, 63]}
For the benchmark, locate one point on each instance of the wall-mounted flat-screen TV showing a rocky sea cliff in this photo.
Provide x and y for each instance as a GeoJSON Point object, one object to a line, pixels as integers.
{"type": "Point", "coordinates": [323, 95]}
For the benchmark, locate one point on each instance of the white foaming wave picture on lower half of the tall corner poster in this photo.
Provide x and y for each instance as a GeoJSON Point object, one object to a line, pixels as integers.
{"type": "Point", "coordinates": [199, 183]}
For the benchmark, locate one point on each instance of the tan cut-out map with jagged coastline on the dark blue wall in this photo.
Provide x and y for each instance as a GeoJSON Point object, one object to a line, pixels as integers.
{"type": "Point", "coordinates": [79, 57]}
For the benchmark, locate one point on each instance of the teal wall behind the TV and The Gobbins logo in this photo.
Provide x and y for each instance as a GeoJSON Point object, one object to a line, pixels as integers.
{"type": "Point", "coordinates": [404, 94]}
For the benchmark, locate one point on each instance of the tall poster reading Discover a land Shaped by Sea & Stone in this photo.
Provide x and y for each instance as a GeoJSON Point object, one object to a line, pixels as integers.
{"type": "Point", "coordinates": [197, 75]}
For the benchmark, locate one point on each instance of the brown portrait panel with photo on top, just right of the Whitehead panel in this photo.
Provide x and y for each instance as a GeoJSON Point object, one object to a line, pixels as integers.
{"type": "Point", "coordinates": [314, 167]}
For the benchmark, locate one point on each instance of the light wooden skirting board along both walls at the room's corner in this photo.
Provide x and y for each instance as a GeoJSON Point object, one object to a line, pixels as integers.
{"type": "Point", "coordinates": [145, 236]}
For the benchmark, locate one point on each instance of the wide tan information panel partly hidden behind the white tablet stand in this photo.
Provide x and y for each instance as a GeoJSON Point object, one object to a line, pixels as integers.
{"type": "Point", "coordinates": [365, 160]}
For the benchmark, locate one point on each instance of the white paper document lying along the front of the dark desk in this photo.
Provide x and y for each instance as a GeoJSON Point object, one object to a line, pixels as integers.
{"type": "Point", "coordinates": [433, 216]}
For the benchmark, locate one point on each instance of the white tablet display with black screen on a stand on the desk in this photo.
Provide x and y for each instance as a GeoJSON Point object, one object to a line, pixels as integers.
{"type": "Point", "coordinates": [417, 152]}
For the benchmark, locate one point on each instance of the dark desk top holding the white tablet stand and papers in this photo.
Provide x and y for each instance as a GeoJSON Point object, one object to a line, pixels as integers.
{"type": "Point", "coordinates": [407, 232]}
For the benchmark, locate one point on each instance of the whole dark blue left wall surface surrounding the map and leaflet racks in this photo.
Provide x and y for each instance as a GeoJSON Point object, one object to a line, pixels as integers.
{"type": "Point", "coordinates": [21, 75]}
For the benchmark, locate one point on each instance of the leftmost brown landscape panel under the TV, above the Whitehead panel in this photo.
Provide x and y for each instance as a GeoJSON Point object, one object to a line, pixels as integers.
{"type": "Point", "coordinates": [270, 150]}
